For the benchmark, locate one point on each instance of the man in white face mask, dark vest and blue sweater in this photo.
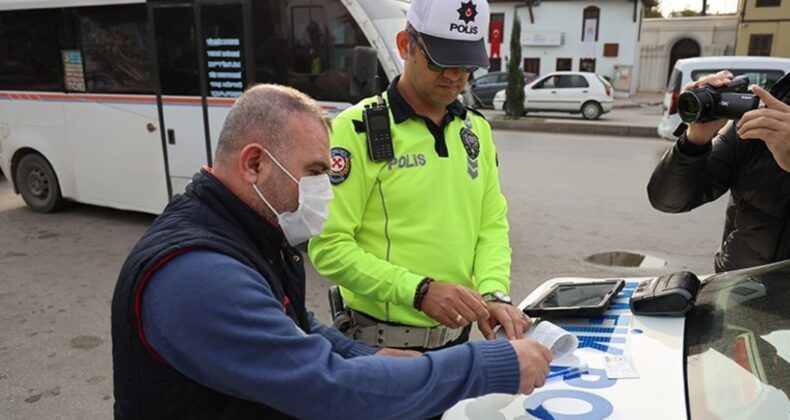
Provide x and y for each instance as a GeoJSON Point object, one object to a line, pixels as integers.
{"type": "Point", "coordinates": [208, 315]}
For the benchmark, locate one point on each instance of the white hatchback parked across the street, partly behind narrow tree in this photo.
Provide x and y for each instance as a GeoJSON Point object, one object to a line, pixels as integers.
{"type": "Point", "coordinates": [566, 91]}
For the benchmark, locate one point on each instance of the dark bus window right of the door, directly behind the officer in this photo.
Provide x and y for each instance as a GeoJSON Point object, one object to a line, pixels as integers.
{"type": "Point", "coordinates": [307, 47]}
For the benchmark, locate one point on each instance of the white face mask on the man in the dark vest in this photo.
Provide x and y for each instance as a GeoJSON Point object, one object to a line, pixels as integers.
{"type": "Point", "coordinates": [315, 193]}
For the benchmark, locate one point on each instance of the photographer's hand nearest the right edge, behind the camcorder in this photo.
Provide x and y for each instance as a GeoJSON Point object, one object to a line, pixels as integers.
{"type": "Point", "coordinates": [771, 124]}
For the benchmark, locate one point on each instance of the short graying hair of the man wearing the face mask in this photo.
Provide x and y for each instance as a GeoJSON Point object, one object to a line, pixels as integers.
{"type": "Point", "coordinates": [261, 115]}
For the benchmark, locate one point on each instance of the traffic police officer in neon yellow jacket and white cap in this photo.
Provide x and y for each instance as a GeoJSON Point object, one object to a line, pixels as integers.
{"type": "Point", "coordinates": [417, 235]}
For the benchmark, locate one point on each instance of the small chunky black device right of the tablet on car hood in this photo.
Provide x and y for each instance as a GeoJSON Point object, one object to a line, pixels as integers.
{"type": "Point", "coordinates": [669, 295]}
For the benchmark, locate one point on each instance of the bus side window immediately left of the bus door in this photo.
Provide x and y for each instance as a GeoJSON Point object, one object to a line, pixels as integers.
{"type": "Point", "coordinates": [116, 52]}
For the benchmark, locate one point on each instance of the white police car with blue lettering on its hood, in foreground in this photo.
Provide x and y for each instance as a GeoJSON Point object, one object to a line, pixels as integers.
{"type": "Point", "coordinates": [728, 358]}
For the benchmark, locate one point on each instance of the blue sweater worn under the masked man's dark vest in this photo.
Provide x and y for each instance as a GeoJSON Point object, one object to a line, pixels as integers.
{"type": "Point", "coordinates": [216, 321]}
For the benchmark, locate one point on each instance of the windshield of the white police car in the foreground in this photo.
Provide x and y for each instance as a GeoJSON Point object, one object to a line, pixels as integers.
{"type": "Point", "coordinates": [738, 345]}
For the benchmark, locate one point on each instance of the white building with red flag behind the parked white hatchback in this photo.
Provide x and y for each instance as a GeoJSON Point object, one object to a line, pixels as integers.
{"type": "Point", "coordinates": [601, 36]}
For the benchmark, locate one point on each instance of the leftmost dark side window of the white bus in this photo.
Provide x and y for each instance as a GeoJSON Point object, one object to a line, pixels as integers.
{"type": "Point", "coordinates": [29, 58]}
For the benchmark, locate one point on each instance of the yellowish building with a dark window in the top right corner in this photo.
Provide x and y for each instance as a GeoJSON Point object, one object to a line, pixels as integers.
{"type": "Point", "coordinates": [763, 28]}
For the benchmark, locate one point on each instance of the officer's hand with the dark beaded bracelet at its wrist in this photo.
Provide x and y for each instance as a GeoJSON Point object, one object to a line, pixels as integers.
{"type": "Point", "coordinates": [444, 302]}
